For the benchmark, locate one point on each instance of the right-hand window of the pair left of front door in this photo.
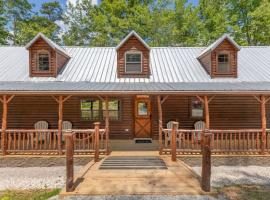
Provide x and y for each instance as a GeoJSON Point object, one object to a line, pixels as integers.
{"type": "Point", "coordinates": [114, 109]}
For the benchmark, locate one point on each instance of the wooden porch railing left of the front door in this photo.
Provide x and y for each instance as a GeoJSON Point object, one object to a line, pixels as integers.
{"type": "Point", "coordinates": [28, 141]}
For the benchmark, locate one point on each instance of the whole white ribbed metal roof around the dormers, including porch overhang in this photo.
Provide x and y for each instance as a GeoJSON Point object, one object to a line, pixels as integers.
{"type": "Point", "coordinates": [173, 68]}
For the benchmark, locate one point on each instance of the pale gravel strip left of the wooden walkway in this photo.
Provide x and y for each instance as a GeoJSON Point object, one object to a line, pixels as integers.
{"type": "Point", "coordinates": [32, 177]}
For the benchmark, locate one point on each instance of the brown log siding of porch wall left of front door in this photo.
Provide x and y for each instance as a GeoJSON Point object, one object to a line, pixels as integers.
{"type": "Point", "coordinates": [24, 111]}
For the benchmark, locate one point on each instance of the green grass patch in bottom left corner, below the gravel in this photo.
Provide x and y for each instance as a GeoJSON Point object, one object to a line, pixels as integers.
{"type": "Point", "coordinates": [28, 194]}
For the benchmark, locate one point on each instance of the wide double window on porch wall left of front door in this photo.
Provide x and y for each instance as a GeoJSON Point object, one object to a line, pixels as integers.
{"type": "Point", "coordinates": [92, 110]}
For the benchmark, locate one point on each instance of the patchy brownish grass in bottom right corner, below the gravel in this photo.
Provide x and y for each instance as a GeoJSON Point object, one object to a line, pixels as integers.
{"type": "Point", "coordinates": [245, 192]}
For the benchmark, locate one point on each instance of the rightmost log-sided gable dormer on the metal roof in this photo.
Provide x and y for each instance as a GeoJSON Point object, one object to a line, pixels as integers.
{"type": "Point", "coordinates": [220, 58]}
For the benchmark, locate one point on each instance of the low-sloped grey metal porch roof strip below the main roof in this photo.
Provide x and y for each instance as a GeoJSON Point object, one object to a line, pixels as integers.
{"type": "Point", "coordinates": [118, 88]}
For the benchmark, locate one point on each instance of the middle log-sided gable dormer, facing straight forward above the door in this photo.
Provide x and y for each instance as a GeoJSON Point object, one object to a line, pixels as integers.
{"type": "Point", "coordinates": [133, 57]}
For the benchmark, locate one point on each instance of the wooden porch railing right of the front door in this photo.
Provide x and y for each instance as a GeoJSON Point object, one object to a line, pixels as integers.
{"type": "Point", "coordinates": [222, 141]}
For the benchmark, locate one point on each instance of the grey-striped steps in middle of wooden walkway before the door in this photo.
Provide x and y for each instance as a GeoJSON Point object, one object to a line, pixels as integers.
{"type": "Point", "coordinates": [132, 162]}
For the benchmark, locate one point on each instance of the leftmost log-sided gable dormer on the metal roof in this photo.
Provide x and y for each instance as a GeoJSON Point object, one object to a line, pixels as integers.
{"type": "Point", "coordinates": [46, 58]}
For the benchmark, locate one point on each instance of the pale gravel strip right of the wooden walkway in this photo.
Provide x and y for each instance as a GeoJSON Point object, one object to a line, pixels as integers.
{"type": "Point", "coordinates": [231, 175]}
